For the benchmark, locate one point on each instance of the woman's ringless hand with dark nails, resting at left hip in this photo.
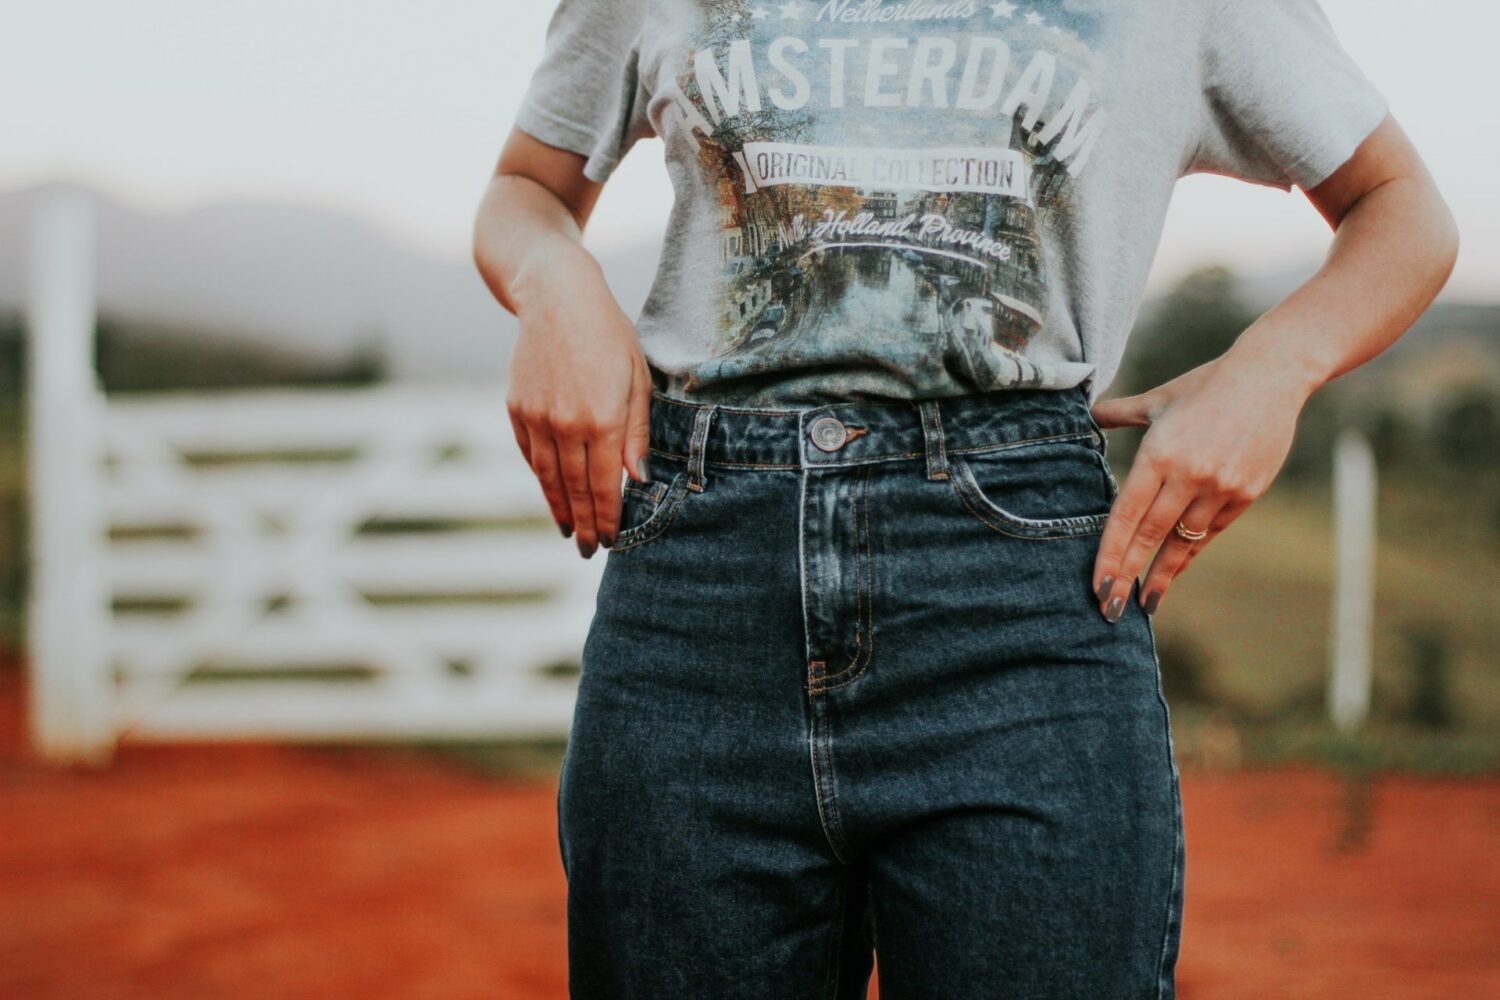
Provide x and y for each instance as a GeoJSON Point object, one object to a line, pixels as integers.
{"type": "Point", "coordinates": [580, 397]}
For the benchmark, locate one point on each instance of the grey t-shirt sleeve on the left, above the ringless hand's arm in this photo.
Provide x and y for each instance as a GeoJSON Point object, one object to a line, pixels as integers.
{"type": "Point", "coordinates": [587, 95]}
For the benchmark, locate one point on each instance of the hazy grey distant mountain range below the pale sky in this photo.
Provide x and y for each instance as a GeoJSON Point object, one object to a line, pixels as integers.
{"type": "Point", "coordinates": [332, 287]}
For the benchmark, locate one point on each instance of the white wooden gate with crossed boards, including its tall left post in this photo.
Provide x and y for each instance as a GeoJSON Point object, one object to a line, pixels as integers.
{"type": "Point", "coordinates": [289, 564]}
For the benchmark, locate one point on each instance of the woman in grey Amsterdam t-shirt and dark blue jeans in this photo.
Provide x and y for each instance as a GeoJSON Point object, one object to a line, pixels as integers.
{"type": "Point", "coordinates": [872, 669]}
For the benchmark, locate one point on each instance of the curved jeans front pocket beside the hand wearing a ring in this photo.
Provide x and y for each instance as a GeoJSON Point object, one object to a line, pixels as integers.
{"type": "Point", "coordinates": [1058, 488]}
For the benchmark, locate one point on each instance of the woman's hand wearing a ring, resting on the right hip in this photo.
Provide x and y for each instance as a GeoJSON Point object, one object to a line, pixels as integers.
{"type": "Point", "coordinates": [1217, 439]}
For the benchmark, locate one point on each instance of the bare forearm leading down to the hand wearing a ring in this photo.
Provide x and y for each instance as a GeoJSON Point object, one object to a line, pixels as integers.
{"type": "Point", "coordinates": [1391, 256]}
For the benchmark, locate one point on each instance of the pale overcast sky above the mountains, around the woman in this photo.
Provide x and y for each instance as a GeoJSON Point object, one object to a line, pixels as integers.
{"type": "Point", "coordinates": [395, 113]}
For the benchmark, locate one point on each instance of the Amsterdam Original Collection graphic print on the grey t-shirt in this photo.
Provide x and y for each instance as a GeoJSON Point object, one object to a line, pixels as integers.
{"type": "Point", "coordinates": [881, 169]}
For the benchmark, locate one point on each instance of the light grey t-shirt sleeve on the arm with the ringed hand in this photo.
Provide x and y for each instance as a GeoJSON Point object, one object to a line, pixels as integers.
{"type": "Point", "coordinates": [1282, 100]}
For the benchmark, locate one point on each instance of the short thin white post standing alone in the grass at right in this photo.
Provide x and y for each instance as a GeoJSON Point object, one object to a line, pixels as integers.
{"type": "Point", "coordinates": [1354, 581]}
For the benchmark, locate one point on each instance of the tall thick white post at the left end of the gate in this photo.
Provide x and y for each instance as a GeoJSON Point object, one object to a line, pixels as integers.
{"type": "Point", "coordinates": [68, 611]}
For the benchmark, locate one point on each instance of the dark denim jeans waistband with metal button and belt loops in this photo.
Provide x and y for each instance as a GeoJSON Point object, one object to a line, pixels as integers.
{"type": "Point", "coordinates": [859, 433]}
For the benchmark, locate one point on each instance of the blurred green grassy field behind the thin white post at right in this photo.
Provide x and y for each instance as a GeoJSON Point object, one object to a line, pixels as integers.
{"type": "Point", "coordinates": [1256, 605]}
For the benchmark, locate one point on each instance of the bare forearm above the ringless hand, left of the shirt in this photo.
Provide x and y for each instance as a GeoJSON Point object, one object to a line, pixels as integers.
{"type": "Point", "coordinates": [527, 244]}
